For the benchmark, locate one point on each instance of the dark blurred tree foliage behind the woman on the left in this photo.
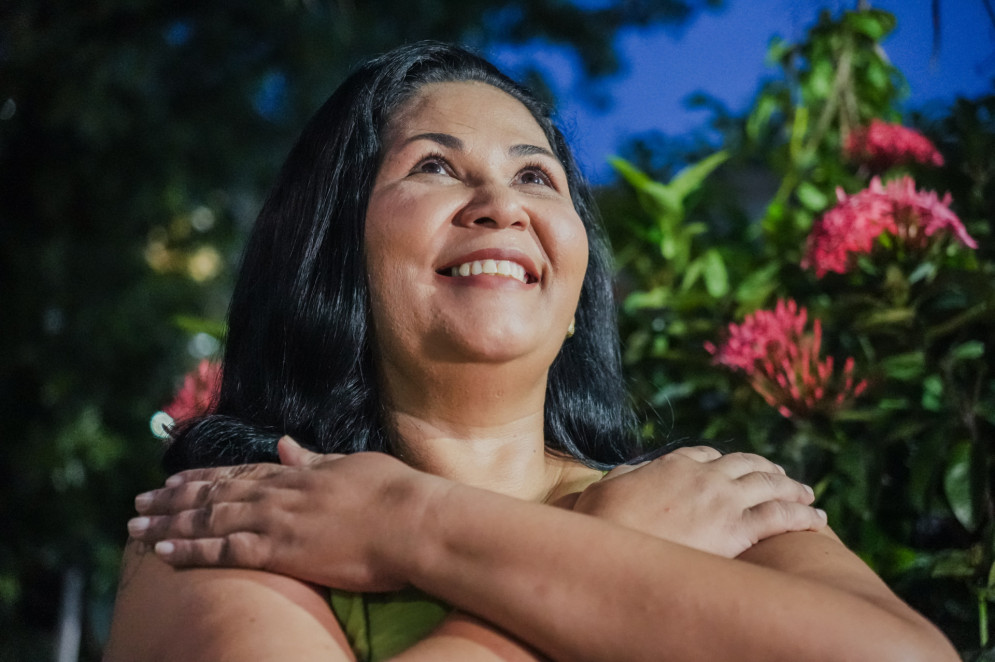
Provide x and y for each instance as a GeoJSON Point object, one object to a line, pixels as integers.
{"type": "Point", "coordinates": [137, 139]}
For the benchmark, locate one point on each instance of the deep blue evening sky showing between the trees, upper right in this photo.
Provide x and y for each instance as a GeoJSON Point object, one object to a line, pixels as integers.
{"type": "Point", "coordinates": [722, 53]}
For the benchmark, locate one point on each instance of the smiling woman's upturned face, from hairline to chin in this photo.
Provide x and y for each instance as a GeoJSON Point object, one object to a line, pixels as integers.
{"type": "Point", "coordinates": [474, 251]}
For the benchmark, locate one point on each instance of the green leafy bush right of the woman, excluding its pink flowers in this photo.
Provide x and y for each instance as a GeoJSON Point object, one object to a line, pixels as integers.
{"type": "Point", "coordinates": [905, 474]}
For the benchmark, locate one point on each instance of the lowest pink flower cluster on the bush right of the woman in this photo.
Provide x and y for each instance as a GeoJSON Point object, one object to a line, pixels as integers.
{"type": "Point", "coordinates": [783, 364]}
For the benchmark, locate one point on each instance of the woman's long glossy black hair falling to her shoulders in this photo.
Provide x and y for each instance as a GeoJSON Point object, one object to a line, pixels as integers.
{"type": "Point", "coordinates": [298, 357]}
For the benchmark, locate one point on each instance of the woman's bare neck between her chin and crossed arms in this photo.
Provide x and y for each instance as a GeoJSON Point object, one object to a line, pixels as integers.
{"type": "Point", "coordinates": [478, 424]}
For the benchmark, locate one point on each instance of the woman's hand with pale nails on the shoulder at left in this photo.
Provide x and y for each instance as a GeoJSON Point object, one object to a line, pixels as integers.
{"type": "Point", "coordinates": [334, 520]}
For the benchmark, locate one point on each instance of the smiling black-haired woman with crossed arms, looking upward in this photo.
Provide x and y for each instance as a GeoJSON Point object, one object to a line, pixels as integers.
{"type": "Point", "coordinates": [427, 281]}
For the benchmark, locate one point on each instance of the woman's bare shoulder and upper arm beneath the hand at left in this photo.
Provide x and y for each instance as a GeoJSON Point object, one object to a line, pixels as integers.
{"type": "Point", "coordinates": [163, 613]}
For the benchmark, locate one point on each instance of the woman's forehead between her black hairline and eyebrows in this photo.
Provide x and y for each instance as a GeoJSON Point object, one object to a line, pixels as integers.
{"type": "Point", "coordinates": [466, 109]}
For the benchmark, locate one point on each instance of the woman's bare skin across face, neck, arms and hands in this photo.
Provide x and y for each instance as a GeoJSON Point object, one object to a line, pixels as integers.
{"type": "Point", "coordinates": [691, 556]}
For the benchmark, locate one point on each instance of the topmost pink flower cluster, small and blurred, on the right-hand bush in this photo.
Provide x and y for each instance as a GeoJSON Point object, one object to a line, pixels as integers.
{"type": "Point", "coordinates": [881, 145]}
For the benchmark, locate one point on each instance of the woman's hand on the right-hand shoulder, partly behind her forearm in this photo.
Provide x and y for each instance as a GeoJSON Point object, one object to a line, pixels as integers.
{"type": "Point", "coordinates": [722, 504]}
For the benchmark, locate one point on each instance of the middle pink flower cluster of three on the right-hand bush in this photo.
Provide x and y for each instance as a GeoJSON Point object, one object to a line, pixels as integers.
{"type": "Point", "coordinates": [897, 208]}
